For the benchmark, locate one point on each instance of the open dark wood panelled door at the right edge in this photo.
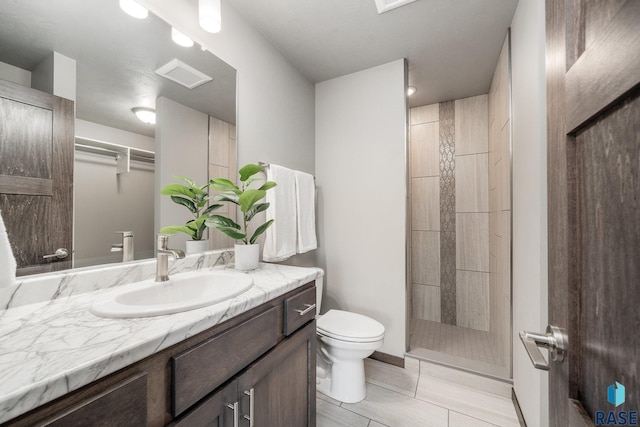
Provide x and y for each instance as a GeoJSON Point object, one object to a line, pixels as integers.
{"type": "Point", "coordinates": [593, 116]}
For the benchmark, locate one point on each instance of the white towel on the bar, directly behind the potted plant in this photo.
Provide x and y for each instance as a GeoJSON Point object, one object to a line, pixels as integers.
{"type": "Point", "coordinates": [280, 242]}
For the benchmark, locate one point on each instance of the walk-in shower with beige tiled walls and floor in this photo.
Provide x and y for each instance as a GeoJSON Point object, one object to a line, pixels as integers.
{"type": "Point", "coordinates": [460, 229]}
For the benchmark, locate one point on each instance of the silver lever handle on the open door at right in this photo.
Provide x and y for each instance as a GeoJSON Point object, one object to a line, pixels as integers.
{"type": "Point", "coordinates": [555, 340]}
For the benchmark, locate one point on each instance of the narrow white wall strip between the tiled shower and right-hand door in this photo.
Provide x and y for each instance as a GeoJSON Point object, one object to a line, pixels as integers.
{"type": "Point", "coordinates": [529, 203]}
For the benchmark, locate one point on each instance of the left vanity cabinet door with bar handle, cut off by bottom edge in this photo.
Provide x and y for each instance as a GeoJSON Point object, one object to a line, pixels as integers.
{"type": "Point", "coordinates": [218, 410]}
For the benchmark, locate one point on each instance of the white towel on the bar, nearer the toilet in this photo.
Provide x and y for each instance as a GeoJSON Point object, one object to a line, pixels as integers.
{"type": "Point", "coordinates": [306, 212]}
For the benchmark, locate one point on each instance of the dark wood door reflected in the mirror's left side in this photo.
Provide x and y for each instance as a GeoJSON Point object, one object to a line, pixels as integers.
{"type": "Point", "coordinates": [36, 175]}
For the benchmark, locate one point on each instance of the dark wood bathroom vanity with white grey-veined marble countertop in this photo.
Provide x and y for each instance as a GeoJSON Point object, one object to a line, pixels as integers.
{"type": "Point", "coordinates": [251, 362]}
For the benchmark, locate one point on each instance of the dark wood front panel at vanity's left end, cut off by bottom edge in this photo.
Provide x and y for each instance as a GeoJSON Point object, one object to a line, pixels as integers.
{"type": "Point", "coordinates": [124, 404]}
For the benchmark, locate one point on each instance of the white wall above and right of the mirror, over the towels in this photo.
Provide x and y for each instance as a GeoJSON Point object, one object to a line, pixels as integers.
{"type": "Point", "coordinates": [275, 102]}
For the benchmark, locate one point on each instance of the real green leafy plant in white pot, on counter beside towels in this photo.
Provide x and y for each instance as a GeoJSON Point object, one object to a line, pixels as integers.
{"type": "Point", "coordinates": [247, 198]}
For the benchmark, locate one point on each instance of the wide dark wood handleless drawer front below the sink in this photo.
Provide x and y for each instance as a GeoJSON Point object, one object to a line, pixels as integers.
{"type": "Point", "coordinates": [201, 369]}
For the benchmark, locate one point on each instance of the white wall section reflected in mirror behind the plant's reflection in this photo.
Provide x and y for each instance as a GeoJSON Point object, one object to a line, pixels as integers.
{"type": "Point", "coordinates": [182, 141]}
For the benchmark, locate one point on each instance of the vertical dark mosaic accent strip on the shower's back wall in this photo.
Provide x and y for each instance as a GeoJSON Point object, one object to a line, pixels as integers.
{"type": "Point", "coordinates": [447, 213]}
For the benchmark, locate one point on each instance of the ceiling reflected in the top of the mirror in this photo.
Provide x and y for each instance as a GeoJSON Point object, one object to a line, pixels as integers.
{"type": "Point", "coordinates": [116, 55]}
